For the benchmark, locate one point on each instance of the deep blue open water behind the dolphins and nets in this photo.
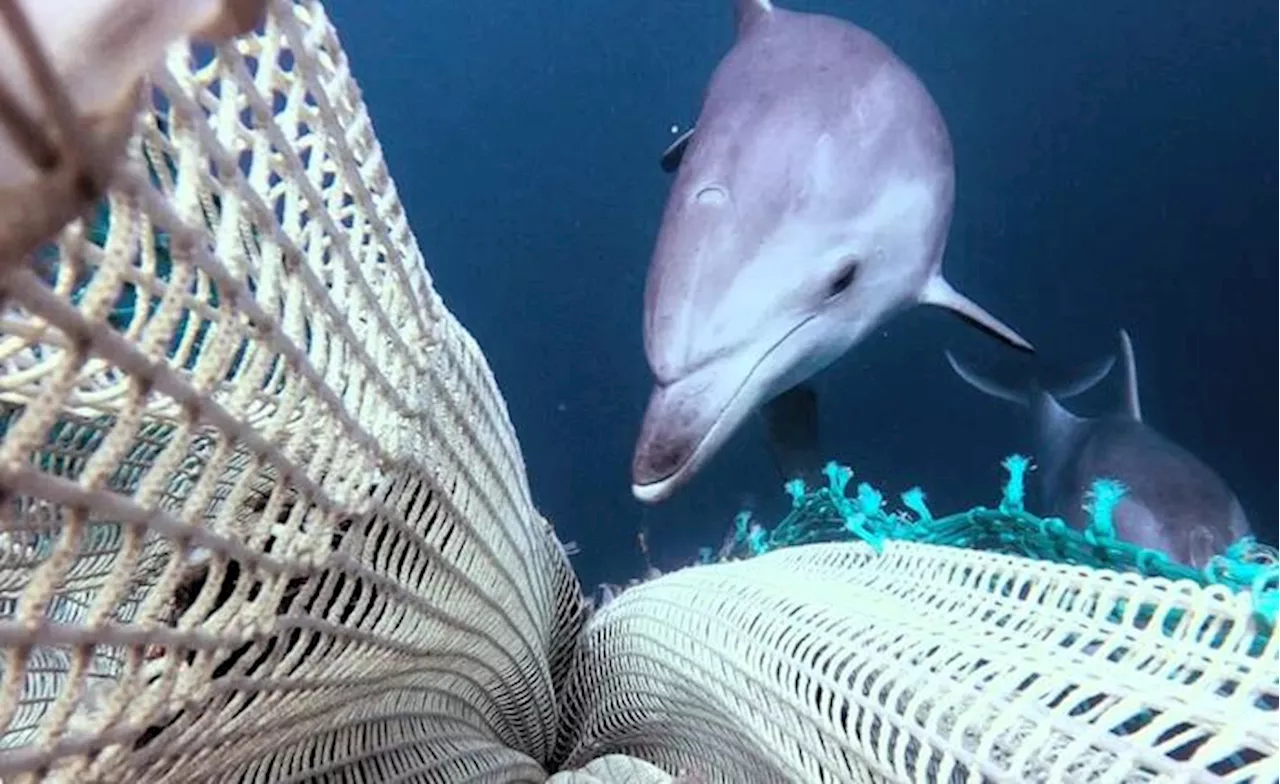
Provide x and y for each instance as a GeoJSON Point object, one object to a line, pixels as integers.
{"type": "Point", "coordinates": [1118, 166]}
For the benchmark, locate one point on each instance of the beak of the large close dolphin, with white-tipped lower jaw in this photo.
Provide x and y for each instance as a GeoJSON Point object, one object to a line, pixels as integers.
{"type": "Point", "coordinates": [684, 425]}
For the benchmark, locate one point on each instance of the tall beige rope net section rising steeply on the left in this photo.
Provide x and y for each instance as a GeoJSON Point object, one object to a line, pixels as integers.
{"type": "Point", "coordinates": [266, 517]}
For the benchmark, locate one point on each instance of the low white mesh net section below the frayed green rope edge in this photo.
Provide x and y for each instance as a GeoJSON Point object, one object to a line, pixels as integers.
{"type": "Point", "coordinates": [924, 663]}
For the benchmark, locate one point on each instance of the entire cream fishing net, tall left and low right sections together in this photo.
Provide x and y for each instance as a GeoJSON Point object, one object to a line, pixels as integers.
{"type": "Point", "coordinates": [266, 519]}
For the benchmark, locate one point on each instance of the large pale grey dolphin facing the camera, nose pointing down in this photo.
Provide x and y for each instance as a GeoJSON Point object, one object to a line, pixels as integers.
{"type": "Point", "coordinates": [811, 203]}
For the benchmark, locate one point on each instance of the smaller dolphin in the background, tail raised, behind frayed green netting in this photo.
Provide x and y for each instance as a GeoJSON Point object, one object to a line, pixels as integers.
{"type": "Point", "coordinates": [1173, 503]}
